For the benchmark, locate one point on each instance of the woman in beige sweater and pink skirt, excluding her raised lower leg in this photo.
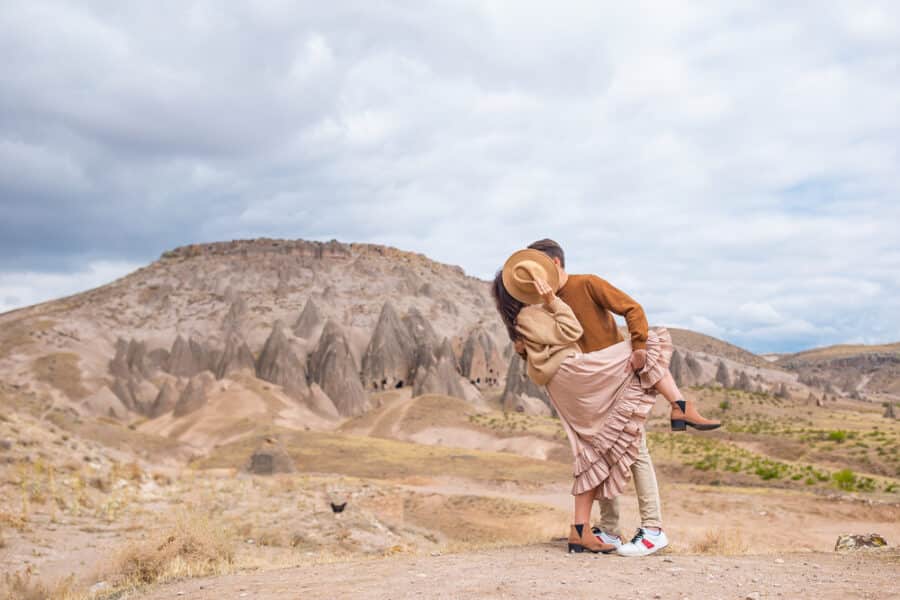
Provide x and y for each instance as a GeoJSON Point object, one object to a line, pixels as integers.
{"type": "Point", "coordinates": [601, 401]}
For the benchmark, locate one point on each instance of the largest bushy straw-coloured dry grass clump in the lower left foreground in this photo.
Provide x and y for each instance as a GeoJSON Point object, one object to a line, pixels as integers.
{"type": "Point", "coordinates": [194, 547]}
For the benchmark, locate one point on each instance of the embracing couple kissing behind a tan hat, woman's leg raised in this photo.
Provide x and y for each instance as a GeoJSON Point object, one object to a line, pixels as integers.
{"type": "Point", "coordinates": [601, 385]}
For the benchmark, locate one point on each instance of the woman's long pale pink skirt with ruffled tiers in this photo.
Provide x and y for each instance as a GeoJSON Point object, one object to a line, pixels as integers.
{"type": "Point", "coordinates": [603, 406]}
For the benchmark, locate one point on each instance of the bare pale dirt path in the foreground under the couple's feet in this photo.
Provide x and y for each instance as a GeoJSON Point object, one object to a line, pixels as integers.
{"type": "Point", "coordinates": [546, 571]}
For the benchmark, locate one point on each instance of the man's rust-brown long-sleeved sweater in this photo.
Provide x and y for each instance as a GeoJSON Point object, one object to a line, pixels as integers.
{"type": "Point", "coordinates": [593, 300]}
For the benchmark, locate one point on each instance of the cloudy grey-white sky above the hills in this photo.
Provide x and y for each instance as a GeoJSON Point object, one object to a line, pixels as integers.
{"type": "Point", "coordinates": [734, 166]}
